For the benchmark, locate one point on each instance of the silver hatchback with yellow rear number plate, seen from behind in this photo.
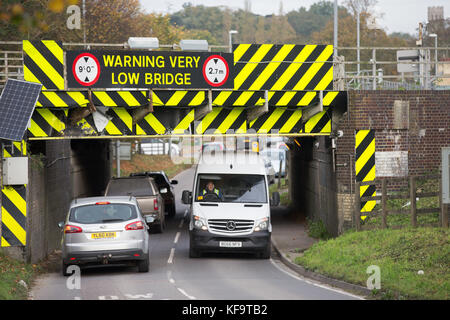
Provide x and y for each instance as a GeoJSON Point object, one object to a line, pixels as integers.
{"type": "Point", "coordinates": [105, 230]}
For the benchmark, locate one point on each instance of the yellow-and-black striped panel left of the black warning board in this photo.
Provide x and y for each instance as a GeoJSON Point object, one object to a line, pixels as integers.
{"type": "Point", "coordinates": [43, 62]}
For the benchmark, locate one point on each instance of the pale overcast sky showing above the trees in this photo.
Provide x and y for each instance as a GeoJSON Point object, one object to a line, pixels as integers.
{"type": "Point", "coordinates": [398, 15]}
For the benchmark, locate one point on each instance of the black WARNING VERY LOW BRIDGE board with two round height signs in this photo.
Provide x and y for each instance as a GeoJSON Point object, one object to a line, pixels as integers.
{"type": "Point", "coordinates": [144, 69]}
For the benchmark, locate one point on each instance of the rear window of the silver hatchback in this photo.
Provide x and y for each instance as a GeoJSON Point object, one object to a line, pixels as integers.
{"type": "Point", "coordinates": [103, 213]}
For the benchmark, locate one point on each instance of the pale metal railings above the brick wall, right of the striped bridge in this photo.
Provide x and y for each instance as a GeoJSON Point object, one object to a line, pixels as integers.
{"type": "Point", "coordinates": [379, 68]}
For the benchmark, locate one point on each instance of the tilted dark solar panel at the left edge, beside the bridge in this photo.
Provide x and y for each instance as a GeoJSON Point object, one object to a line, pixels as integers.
{"type": "Point", "coordinates": [17, 103]}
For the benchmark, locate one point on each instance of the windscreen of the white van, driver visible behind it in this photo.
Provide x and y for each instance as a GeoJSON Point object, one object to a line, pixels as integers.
{"type": "Point", "coordinates": [237, 188]}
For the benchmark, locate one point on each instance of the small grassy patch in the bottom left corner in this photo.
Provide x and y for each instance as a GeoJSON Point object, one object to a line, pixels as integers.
{"type": "Point", "coordinates": [12, 273]}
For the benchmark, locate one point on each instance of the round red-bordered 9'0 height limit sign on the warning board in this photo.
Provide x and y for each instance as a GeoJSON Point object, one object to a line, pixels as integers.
{"type": "Point", "coordinates": [86, 69]}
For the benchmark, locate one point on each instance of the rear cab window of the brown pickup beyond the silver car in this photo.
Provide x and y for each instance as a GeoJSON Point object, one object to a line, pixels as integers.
{"type": "Point", "coordinates": [138, 187]}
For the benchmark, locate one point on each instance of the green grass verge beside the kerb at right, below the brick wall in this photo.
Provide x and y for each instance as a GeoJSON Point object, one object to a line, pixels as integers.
{"type": "Point", "coordinates": [400, 254]}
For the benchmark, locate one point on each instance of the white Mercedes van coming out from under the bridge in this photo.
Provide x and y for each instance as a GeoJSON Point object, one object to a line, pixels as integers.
{"type": "Point", "coordinates": [230, 205]}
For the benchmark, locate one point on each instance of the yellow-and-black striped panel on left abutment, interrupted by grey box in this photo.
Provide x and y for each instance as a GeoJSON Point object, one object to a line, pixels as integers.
{"type": "Point", "coordinates": [14, 207]}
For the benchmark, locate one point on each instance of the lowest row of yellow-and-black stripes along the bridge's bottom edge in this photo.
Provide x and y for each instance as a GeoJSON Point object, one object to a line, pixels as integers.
{"type": "Point", "coordinates": [279, 120]}
